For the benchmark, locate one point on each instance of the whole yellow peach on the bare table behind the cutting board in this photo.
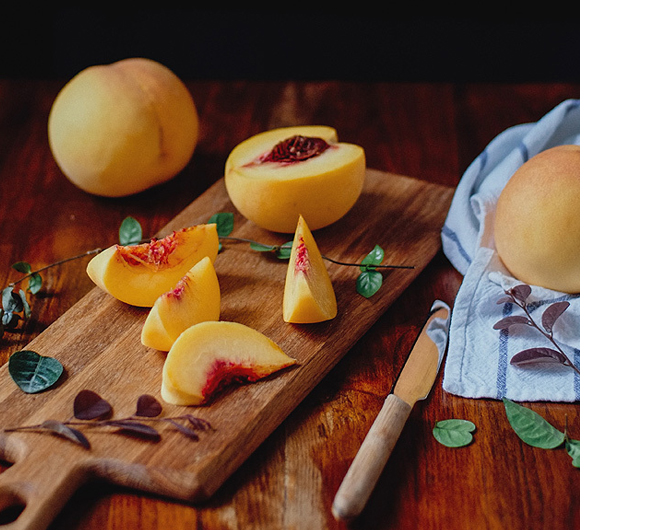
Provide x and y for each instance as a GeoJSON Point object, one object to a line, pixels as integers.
{"type": "Point", "coordinates": [118, 129]}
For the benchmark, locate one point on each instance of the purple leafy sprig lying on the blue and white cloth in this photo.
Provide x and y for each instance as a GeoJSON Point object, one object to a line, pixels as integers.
{"type": "Point", "coordinates": [518, 295]}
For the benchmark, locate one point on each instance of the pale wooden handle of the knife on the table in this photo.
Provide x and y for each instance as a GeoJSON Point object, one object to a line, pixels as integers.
{"type": "Point", "coordinates": [371, 458]}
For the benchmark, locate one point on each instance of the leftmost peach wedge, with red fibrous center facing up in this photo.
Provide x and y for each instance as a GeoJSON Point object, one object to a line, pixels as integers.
{"type": "Point", "coordinates": [139, 274]}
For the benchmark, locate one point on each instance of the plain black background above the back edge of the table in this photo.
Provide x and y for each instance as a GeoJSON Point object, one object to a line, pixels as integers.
{"type": "Point", "coordinates": [305, 44]}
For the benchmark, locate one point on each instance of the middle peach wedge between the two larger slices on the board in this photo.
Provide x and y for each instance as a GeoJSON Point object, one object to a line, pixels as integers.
{"type": "Point", "coordinates": [194, 299]}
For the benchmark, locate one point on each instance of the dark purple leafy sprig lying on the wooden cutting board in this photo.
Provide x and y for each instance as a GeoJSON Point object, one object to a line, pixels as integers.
{"type": "Point", "coordinates": [91, 410]}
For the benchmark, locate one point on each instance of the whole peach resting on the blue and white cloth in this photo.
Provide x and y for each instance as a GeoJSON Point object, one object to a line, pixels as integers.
{"type": "Point", "coordinates": [537, 220]}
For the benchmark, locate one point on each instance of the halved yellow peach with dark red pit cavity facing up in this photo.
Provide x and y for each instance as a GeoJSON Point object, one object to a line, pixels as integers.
{"type": "Point", "coordinates": [277, 175]}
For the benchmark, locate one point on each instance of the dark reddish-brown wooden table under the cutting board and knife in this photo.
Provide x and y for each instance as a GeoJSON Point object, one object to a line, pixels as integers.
{"type": "Point", "coordinates": [427, 131]}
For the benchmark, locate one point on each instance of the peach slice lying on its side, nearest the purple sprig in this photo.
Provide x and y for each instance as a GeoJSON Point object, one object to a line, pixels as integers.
{"type": "Point", "coordinates": [211, 355]}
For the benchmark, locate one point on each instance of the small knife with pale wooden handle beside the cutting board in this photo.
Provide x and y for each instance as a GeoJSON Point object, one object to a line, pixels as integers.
{"type": "Point", "coordinates": [413, 384]}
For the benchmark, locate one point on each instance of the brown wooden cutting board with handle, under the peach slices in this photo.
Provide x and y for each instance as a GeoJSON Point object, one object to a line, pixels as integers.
{"type": "Point", "coordinates": [98, 342]}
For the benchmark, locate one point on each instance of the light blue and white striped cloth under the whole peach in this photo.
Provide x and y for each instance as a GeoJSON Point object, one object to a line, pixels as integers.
{"type": "Point", "coordinates": [477, 364]}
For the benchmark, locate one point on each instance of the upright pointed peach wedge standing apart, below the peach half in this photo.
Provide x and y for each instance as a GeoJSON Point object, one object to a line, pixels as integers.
{"type": "Point", "coordinates": [308, 291]}
